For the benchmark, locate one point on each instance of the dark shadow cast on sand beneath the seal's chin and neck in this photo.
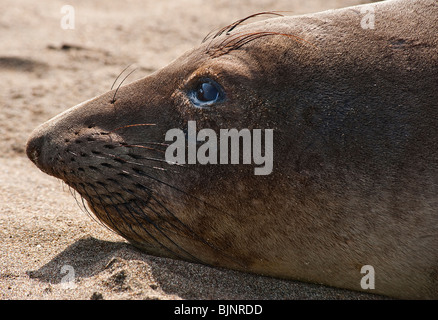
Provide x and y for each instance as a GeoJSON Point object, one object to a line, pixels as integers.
{"type": "Point", "coordinates": [90, 257]}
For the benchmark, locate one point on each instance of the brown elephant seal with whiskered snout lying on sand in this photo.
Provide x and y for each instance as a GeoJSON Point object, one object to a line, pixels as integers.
{"type": "Point", "coordinates": [354, 112]}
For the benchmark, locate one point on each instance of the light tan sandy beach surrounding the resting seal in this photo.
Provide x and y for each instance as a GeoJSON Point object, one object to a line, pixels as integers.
{"type": "Point", "coordinates": [51, 248]}
